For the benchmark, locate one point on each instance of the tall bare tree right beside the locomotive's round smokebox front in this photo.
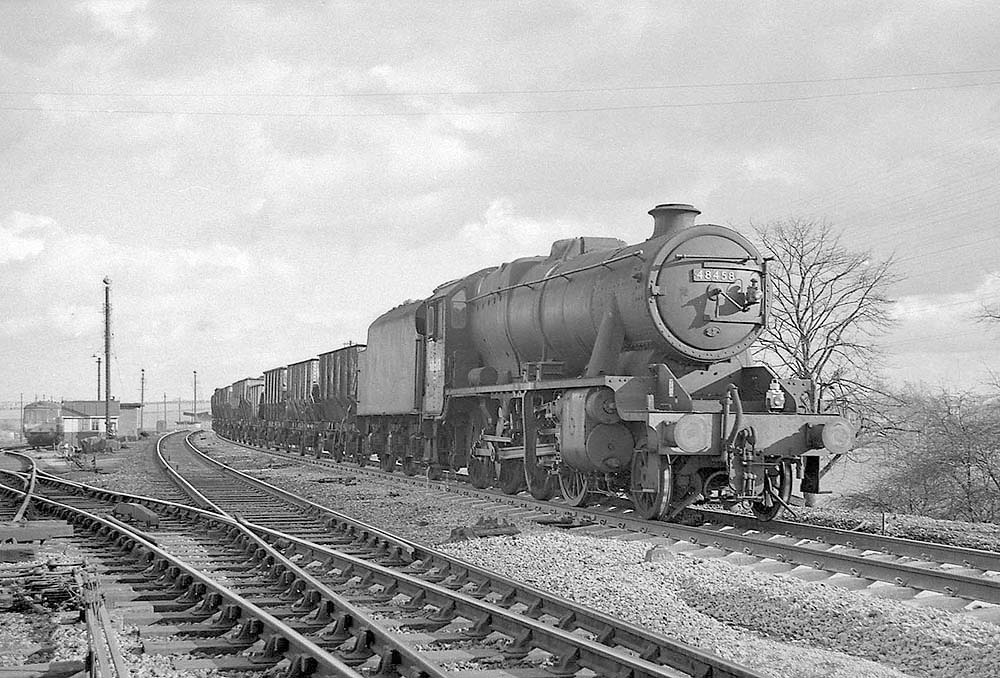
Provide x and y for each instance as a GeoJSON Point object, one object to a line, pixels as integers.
{"type": "Point", "coordinates": [828, 306]}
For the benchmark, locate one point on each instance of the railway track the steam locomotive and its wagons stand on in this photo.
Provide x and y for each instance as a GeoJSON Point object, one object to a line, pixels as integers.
{"type": "Point", "coordinates": [923, 573]}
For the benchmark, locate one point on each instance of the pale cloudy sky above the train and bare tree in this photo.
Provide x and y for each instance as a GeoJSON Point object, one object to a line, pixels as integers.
{"type": "Point", "coordinates": [260, 180]}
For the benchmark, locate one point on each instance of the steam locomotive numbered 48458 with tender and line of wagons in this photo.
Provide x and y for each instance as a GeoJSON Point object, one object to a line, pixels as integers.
{"type": "Point", "coordinates": [600, 369]}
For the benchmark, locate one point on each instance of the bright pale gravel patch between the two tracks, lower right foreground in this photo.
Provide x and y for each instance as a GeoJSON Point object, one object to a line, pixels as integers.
{"type": "Point", "coordinates": [773, 623]}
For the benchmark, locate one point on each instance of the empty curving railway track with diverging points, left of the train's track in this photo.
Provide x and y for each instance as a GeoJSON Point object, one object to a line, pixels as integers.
{"type": "Point", "coordinates": [405, 608]}
